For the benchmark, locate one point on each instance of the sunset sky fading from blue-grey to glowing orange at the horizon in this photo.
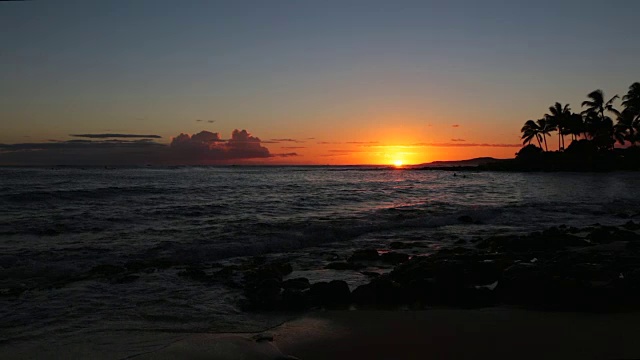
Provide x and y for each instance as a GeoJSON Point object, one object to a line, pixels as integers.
{"type": "Point", "coordinates": [298, 82]}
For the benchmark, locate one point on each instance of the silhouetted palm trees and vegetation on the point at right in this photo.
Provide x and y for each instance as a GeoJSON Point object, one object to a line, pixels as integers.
{"type": "Point", "coordinates": [602, 137]}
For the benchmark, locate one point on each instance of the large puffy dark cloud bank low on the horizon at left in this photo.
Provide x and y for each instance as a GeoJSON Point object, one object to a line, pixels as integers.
{"type": "Point", "coordinates": [204, 147]}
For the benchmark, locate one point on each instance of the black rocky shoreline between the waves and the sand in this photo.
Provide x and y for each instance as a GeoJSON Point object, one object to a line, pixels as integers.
{"type": "Point", "coordinates": [561, 269]}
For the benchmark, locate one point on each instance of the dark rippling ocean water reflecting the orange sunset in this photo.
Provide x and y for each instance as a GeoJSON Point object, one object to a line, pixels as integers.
{"type": "Point", "coordinates": [66, 234]}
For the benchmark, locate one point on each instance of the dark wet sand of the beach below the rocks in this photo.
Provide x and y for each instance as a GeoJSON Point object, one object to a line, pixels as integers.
{"type": "Point", "coordinates": [494, 333]}
